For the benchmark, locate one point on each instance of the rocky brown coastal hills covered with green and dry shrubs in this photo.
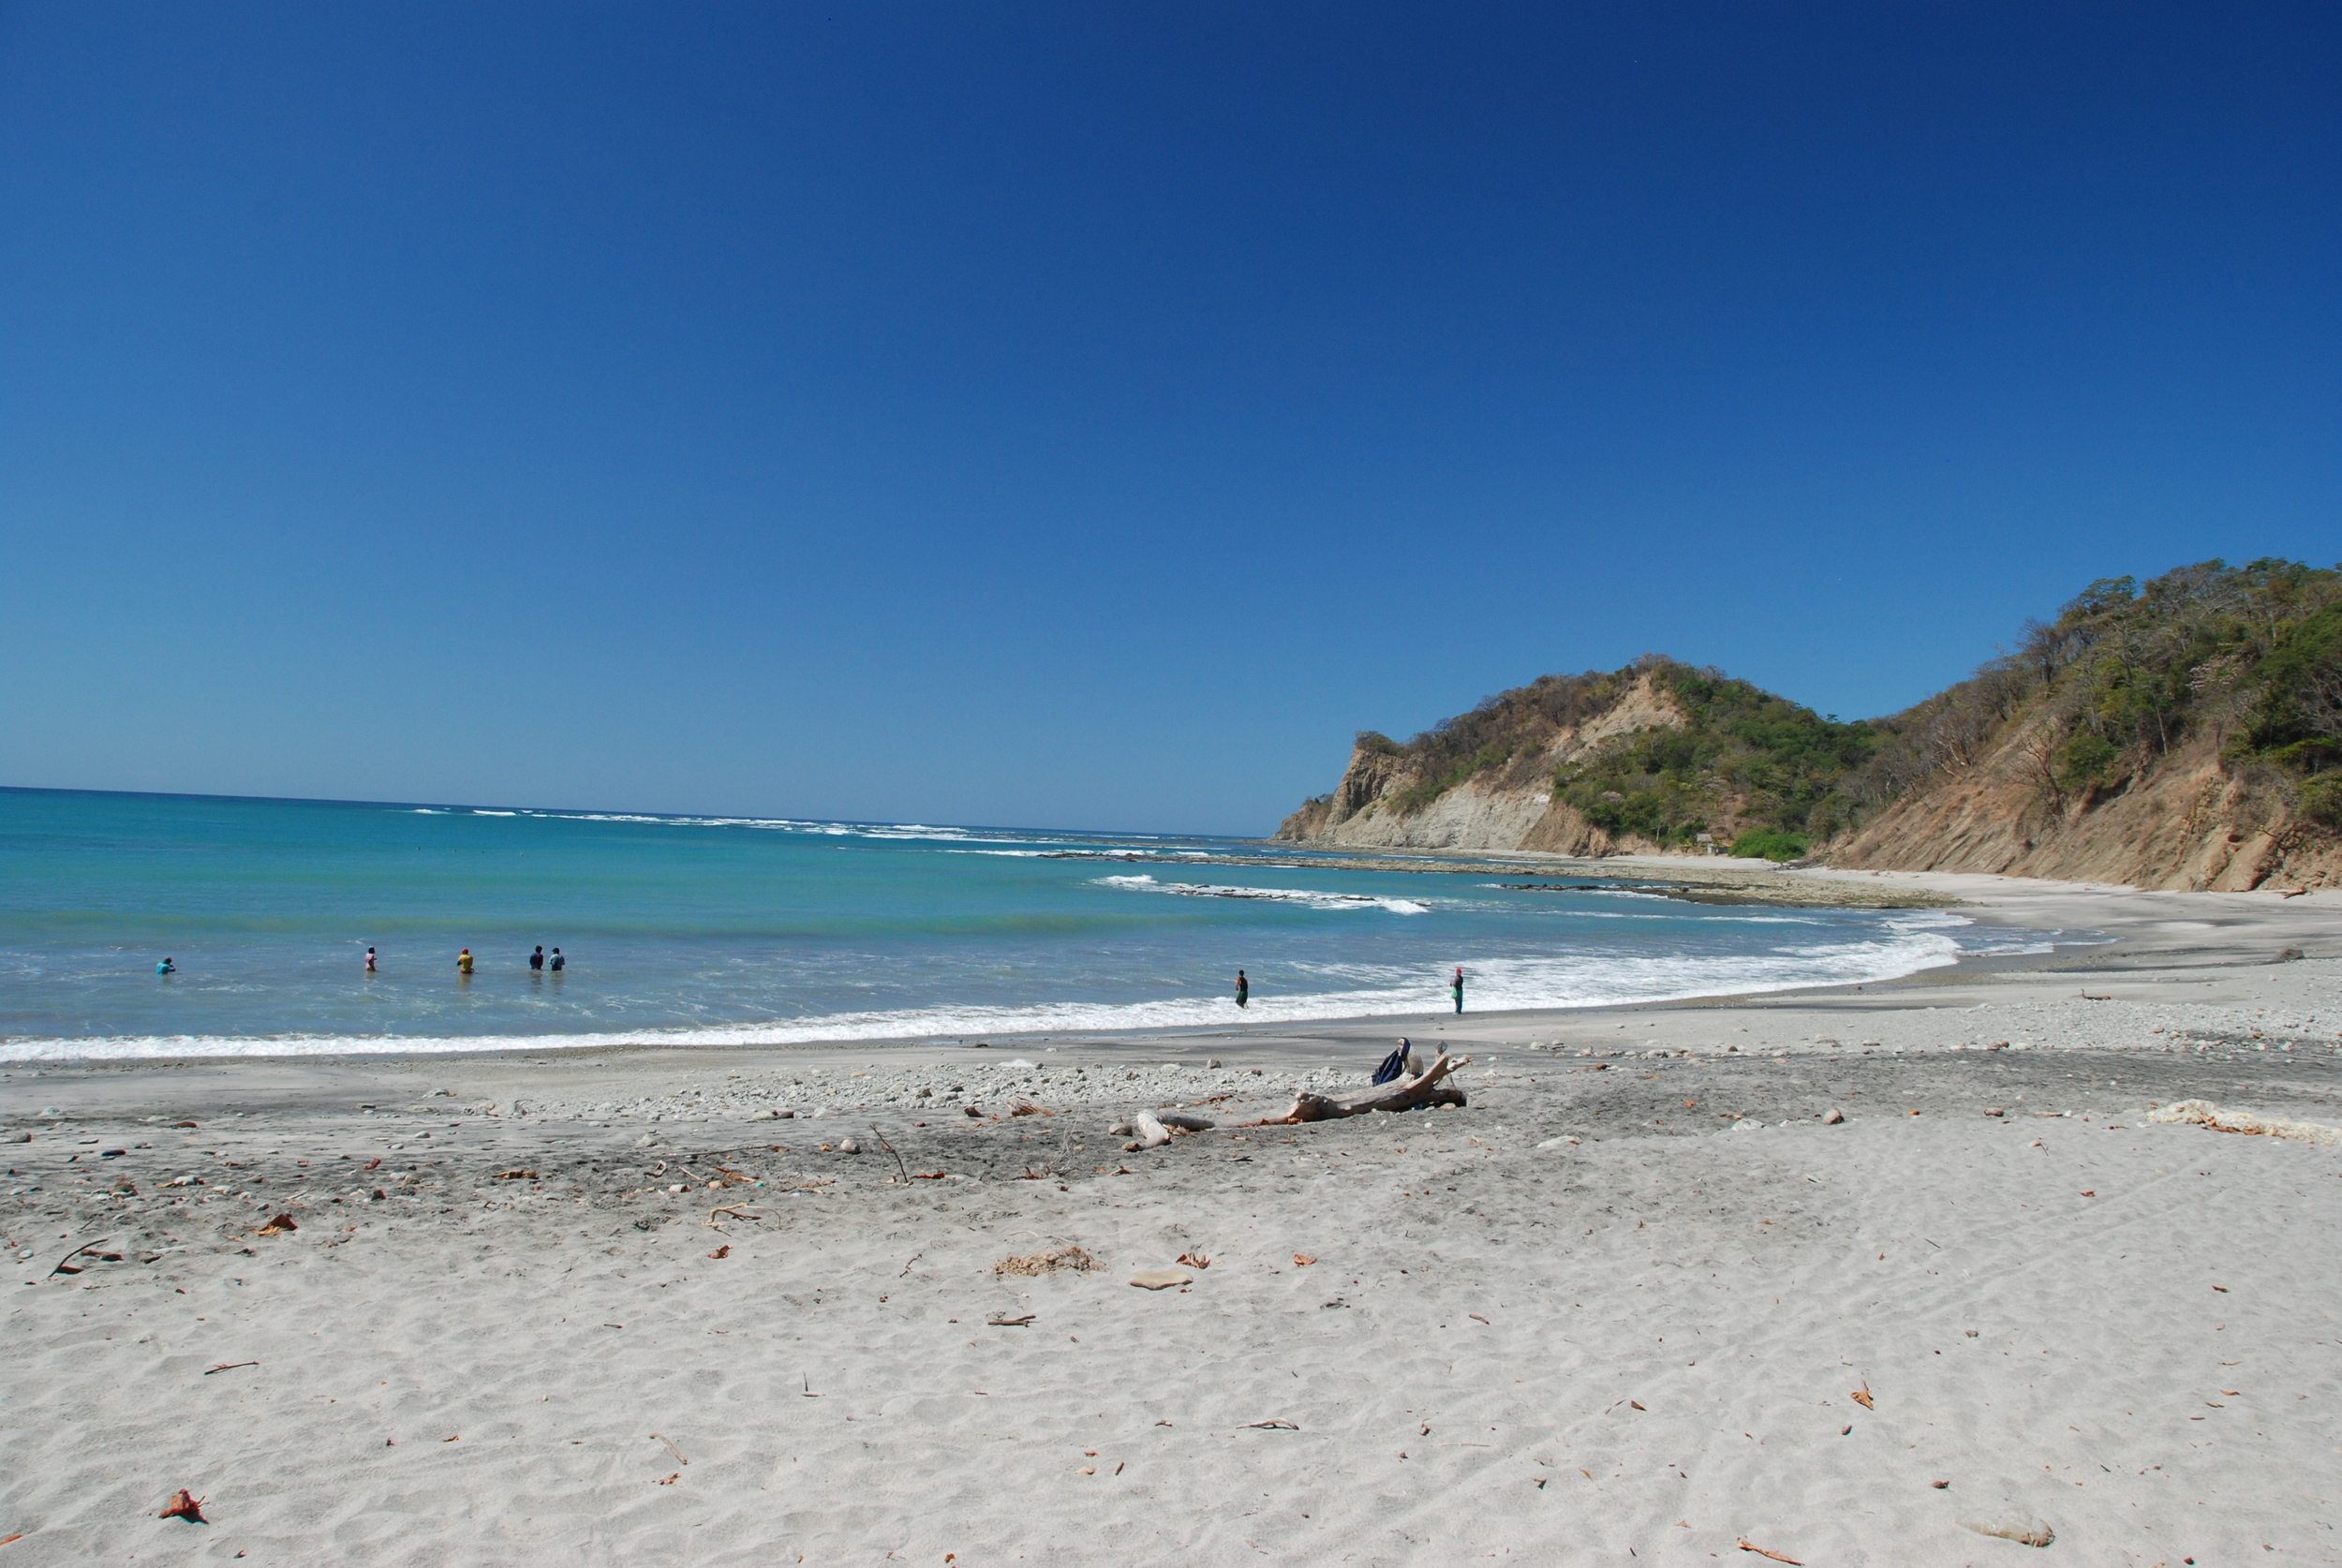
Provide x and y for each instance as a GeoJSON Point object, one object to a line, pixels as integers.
{"type": "Point", "coordinates": [2184, 734]}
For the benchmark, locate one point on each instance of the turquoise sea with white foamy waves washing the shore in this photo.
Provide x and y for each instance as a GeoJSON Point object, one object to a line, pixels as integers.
{"type": "Point", "coordinates": [727, 930]}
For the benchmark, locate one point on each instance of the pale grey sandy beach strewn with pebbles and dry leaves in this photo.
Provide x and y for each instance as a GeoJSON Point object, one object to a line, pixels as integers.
{"type": "Point", "coordinates": [1636, 1302]}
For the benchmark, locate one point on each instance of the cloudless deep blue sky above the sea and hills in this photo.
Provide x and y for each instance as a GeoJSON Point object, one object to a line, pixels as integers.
{"type": "Point", "coordinates": [1093, 415]}
